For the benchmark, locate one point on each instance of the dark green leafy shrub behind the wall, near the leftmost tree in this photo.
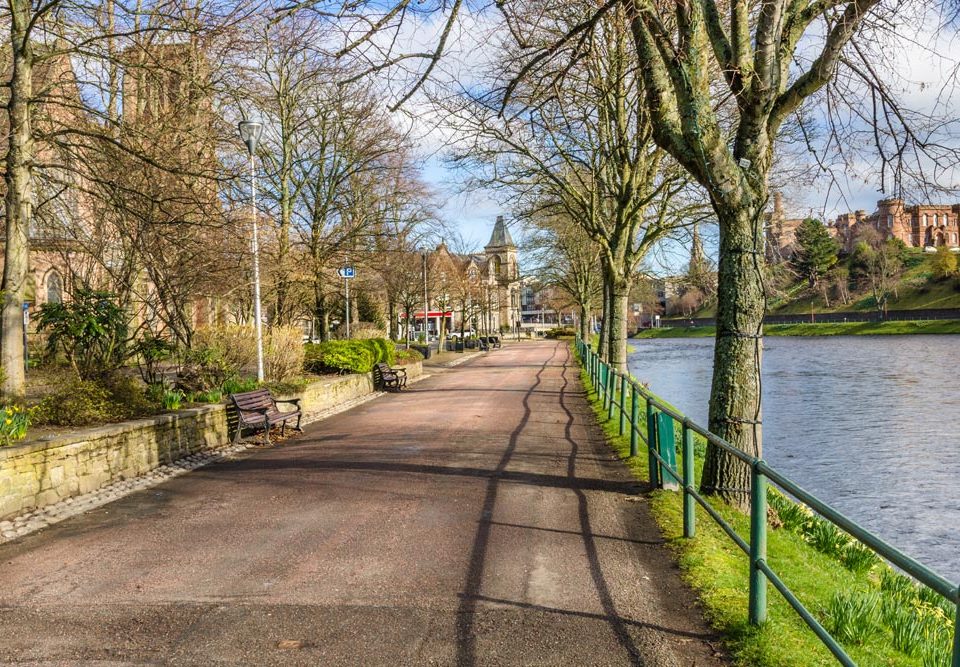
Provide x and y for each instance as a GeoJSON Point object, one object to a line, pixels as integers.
{"type": "Point", "coordinates": [91, 330]}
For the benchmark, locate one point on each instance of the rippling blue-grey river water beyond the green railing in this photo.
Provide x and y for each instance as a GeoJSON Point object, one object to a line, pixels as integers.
{"type": "Point", "coordinates": [869, 424]}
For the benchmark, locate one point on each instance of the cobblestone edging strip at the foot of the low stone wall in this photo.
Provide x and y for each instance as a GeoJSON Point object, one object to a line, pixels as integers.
{"type": "Point", "coordinates": [48, 515]}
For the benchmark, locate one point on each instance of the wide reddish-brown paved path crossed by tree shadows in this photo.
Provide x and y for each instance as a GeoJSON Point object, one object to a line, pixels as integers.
{"type": "Point", "coordinates": [474, 519]}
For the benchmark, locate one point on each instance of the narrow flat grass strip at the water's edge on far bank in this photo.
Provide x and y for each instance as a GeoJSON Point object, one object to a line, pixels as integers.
{"type": "Point", "coordinates": [825, 329]}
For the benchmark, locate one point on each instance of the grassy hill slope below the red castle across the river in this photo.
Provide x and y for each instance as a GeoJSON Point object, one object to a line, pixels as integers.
{"type": "Point", "coordinates": [917, 289]}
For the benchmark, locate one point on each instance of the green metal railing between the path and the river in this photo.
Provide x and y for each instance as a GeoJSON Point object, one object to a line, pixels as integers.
{"type": "Point", "coordinates": [661, 419]}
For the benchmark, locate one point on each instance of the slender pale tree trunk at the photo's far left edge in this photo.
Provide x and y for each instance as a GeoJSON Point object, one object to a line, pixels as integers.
{"type": "Point", "coordinates": [19, 203]}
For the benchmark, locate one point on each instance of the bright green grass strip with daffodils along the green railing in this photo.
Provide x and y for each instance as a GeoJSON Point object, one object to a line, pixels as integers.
{"type": "Point", "coordinates": [858, 603]}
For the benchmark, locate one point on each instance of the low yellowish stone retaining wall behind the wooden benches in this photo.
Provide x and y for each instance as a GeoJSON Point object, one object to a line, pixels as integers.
{"type": "Point", "coordinates": [41, 472]}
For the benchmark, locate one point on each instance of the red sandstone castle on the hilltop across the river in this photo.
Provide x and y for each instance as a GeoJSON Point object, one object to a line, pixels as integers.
{"type": "Point", "coordinates": [918, 226]}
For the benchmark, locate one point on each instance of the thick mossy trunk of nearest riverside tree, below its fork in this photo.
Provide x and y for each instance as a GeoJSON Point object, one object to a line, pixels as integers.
{"type": "Point", "coordinates": [735, 395]}
